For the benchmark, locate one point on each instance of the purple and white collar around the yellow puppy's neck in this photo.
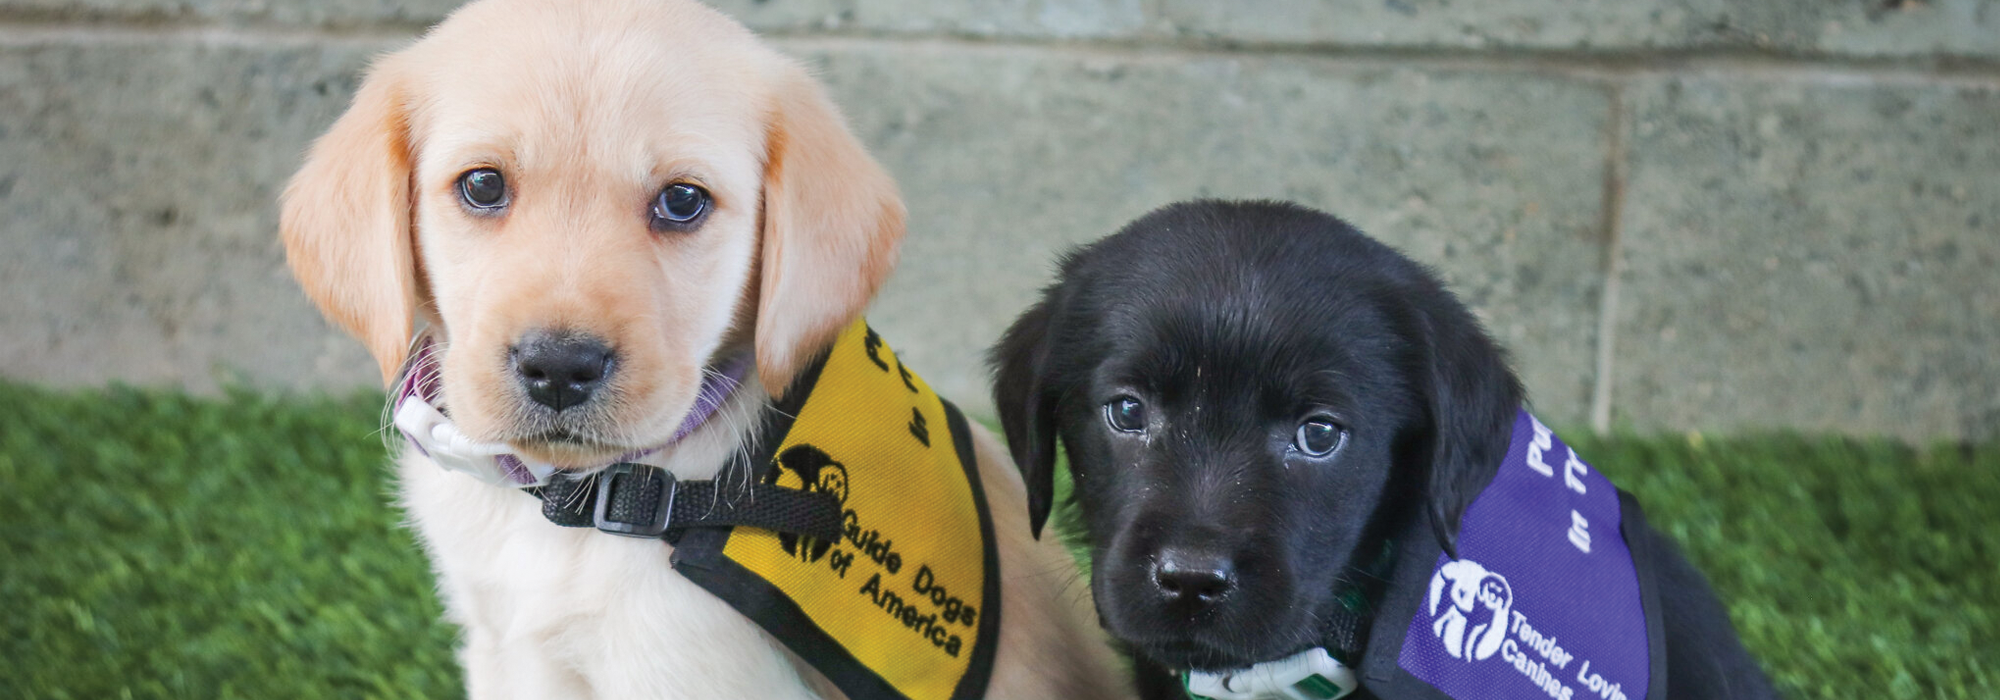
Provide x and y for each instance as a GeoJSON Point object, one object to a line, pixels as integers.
{"type": "Point", "coordinates": [423, 421]}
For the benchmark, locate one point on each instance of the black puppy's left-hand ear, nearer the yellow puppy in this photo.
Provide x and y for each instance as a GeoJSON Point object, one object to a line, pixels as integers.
{"type": "Point", "coordinates": [1027, 409]}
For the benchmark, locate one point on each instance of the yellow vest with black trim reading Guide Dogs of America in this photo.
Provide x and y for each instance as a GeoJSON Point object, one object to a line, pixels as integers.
{"type": "Point", "coordinates": [907, 605]}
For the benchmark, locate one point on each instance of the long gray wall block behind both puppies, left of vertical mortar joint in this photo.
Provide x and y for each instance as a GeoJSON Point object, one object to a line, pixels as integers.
{"type": "Point", "coordinates": [141, 227]}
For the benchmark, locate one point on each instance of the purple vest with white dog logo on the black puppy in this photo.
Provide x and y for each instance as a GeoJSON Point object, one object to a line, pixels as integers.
{"type": "Point", "coordinates": [1543, 601]}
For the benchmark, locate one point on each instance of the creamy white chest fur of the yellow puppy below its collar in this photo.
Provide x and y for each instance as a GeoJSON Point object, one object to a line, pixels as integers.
{"type": "Point", "coordinates": [559, 613]}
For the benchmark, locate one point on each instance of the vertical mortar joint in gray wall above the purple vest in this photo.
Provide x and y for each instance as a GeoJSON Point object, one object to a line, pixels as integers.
{"type": "Point", "coordinates": [1613, 267]}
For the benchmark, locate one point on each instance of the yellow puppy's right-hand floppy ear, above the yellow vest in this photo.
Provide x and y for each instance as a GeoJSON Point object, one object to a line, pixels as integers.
{"type": "Point", "coordinates": [833, 225]}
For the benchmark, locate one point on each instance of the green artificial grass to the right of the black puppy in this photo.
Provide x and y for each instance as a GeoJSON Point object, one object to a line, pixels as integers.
{"type": "Point", "coordinates": [1853, 569]}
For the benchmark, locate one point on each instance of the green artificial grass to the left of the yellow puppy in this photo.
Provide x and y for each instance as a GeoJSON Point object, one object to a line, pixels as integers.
{"type": "Point", "coordinates": [169, 547]}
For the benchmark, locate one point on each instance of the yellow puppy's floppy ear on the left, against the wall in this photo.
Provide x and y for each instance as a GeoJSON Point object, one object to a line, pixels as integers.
{"type": "Point", "coordinates": [345, 221]}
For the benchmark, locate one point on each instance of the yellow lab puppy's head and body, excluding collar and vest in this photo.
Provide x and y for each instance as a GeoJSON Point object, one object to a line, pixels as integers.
{"type": "Point", "coordinates": [585, 205]}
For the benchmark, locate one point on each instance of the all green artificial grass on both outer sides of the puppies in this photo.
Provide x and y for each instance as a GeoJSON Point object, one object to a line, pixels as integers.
{"type": "Point", "coordinates": [245, 547]}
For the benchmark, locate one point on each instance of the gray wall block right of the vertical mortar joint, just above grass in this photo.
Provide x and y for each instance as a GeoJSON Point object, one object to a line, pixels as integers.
{"type": "Point", "coordinates": [1813, 255]}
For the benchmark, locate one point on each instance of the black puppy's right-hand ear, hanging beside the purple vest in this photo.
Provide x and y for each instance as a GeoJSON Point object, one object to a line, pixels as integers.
{"type": "Point", "coordinates": [1473, 403]}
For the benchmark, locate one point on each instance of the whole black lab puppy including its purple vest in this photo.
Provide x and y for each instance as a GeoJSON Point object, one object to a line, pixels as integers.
{"type": "Point", "coordinates": [1279, 433]}
